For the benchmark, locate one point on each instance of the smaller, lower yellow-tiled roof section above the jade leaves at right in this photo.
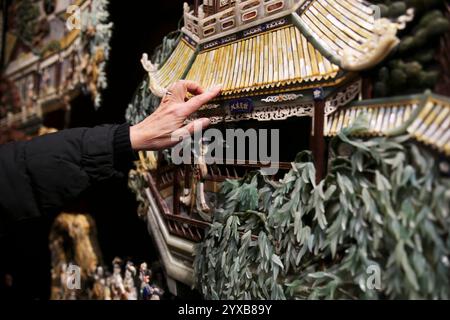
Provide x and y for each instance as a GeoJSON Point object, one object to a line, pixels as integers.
{"type": "Point", "coordinates": [426, 118]}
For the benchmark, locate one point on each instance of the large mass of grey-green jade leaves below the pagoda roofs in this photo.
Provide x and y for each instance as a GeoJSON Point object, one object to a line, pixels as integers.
{"type": "Point", "coordinates": [376, 228]}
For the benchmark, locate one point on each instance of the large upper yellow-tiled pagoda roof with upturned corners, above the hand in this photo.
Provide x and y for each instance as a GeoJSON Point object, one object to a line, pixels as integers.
{"type": "Point", "coordinates": [303, 44]}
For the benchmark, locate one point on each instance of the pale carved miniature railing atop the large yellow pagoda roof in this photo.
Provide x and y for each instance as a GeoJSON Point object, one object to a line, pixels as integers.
{"type": "Point", "coordinates": [242, 13]}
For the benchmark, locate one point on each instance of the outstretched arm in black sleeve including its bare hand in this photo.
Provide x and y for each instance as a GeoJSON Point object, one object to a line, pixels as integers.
{"type": "Point", "coordinates": [42, 175]}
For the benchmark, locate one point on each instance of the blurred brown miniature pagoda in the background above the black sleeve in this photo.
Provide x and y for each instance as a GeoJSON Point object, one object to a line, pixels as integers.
{"type": "Point", "coordinates": [53, 51]}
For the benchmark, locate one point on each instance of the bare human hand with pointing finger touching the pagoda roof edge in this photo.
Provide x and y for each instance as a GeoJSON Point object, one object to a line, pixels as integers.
{"type": "Point", "coordinates": [157, 131]}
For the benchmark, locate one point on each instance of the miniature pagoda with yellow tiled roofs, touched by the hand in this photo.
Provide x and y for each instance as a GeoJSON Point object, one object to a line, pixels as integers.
{"type": "Point", "coordinates": [288, 64]}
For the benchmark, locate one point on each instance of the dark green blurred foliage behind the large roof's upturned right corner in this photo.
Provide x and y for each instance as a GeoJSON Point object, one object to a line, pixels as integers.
{"type": "Point", "coordinates": [414, 66]}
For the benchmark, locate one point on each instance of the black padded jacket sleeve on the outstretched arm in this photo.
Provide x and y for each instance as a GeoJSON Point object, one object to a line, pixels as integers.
{"type": "Point", "coordinates": [40, 176]}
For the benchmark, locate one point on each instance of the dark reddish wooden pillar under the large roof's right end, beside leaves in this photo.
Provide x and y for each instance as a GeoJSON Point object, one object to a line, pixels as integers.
{"type": "Point", "coordinates": [318, 139]}
